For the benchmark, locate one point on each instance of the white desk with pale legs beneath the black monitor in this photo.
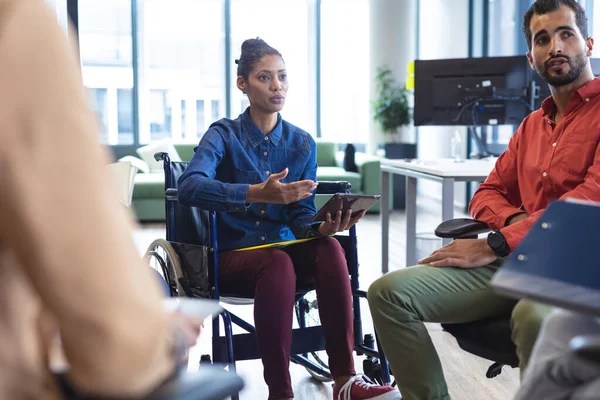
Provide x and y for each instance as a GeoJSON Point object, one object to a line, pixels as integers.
{"type": "Point", "coordinates": [445, 171]}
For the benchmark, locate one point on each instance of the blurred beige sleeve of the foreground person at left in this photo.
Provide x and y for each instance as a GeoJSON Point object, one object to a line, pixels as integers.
{"type": "Point", "coordinates": [60, 212]}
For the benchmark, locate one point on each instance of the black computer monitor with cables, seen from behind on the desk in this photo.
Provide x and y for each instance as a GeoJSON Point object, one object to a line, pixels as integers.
{"type": "Point", "coordinates": [473, 91]}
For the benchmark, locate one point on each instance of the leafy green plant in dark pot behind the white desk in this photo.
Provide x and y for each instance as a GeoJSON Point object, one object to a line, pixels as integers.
{"type": "Point", "coordinates": [391, 109]}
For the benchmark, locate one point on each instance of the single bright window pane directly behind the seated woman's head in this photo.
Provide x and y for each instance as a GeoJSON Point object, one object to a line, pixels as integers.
{"type": "Point", "coordinates": [286, 26]}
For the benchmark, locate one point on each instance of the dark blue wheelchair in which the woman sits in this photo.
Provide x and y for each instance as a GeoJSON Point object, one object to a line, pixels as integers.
{"type": "Point", "coordinates": [188, 261]}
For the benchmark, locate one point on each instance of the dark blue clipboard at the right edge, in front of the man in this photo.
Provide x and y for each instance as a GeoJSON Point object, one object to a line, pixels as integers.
{"type": "Point", "coordinates": [558, 261]}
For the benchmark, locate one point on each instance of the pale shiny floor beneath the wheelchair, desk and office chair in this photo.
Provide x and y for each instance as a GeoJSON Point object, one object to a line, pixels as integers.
{"type": "Point", "coordinates": [464, 372]}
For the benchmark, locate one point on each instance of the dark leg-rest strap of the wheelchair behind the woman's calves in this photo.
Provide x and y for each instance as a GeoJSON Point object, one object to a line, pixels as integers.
{"type": "Point", "coordinates": [304, 340]}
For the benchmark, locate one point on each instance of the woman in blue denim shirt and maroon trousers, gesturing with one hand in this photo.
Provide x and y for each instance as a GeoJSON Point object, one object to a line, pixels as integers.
{"type": "Point", "coordinates": [259, 171]}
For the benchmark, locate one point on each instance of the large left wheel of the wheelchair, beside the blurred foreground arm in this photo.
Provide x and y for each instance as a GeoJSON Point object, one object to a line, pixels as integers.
{"type": "Point", "coordinates": [162, 257]}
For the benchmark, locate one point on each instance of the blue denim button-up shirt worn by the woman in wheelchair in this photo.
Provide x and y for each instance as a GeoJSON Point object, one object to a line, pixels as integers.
{"type": "Point", "coordinates": [232, 155]}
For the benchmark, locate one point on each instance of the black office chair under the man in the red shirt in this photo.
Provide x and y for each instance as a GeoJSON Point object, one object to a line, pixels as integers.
{"type": "Point", "coordinates": [488, 338]}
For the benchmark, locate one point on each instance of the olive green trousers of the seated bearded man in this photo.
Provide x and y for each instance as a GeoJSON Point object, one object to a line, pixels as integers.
{"type": "Point", "coordinates": [403, 300]}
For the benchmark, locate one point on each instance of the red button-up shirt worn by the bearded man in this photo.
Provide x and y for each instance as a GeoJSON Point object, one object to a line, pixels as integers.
{"type": "Point", "coordinates": [544, 161]}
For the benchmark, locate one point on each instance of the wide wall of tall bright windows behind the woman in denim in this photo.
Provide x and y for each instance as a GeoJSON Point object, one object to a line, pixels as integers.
{"type": "Point", "coordinates": [179, 86]}
